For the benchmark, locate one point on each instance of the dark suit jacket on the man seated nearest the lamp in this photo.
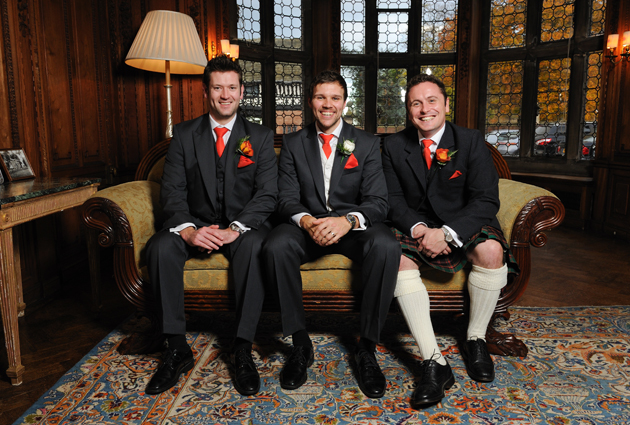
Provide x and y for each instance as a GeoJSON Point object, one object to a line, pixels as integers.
{"type": "Point", "coordinates": [189, 183]}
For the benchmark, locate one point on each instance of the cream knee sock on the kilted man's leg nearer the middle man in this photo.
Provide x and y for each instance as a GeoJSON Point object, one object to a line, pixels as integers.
{"type": "Point", "coordinates": [413, 300]}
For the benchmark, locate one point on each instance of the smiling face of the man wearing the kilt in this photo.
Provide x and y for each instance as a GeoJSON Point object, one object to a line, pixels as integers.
{"type": "Point", "coordinates": [427, 108]}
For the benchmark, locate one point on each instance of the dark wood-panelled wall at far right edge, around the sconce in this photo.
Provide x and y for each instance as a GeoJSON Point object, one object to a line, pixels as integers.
{"type": "Point", "coordinates": [611, 210]}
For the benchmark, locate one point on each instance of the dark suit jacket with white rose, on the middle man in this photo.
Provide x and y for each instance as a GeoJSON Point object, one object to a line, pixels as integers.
{"type": "Point", "coordinates": [301, 178]}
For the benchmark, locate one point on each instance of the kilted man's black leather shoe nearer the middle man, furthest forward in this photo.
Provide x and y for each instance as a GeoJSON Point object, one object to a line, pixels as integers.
{"type": "Point", "coordinates": [434, 381]}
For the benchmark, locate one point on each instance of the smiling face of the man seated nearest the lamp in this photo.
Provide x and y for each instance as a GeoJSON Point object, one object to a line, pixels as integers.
{"type": "Point", "coordinates": [225, 94]}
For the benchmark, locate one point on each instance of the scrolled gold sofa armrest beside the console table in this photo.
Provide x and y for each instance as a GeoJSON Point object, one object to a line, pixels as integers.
{"type": "Point", "coordinates": [125, 217]}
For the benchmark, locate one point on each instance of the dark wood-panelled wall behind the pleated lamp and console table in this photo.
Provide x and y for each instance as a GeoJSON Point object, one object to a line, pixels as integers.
{"type": "Point", "coordinates": [69, 100]}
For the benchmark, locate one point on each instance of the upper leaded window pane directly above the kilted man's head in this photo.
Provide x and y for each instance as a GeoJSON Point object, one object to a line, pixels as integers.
{"type": "Point", "coordinates": [439, 26]}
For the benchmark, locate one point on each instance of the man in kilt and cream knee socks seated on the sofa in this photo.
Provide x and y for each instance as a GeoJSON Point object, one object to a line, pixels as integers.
{"type": "Point", "coordinates": [444, 197]}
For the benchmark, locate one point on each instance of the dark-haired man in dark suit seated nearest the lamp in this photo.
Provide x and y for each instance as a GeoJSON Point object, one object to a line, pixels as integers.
{"type": "Point", "coordinates": [218, 189]}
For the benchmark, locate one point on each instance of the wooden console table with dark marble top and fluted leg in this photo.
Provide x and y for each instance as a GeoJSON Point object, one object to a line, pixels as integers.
{"type": "Point", "coordinates": [20, 202]}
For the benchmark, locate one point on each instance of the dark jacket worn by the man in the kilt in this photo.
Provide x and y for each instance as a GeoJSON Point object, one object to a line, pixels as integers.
{"type": "Point", "coordinates": [464, 193]}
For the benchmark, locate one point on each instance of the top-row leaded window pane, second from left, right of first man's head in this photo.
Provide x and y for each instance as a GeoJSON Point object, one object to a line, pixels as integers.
{"type": "Point", "coordinates": [288, 24]}
